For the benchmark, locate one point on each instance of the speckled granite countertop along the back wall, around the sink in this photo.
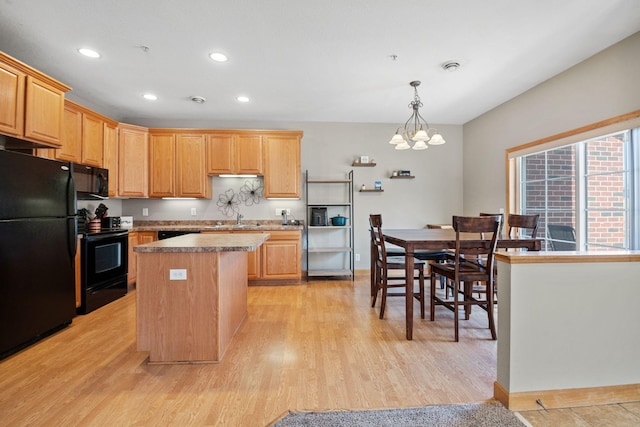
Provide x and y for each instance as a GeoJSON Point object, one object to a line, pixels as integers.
{"type": "Point", "coordinates": [248, 225]}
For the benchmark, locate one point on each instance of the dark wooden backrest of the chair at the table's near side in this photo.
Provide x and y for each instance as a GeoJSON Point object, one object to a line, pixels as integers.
{"type": "Point", "coordinates": [488, 227]}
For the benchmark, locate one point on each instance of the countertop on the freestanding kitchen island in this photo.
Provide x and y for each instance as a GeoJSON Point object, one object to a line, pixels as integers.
{"type": "Point", "coordinates": [239, 242]}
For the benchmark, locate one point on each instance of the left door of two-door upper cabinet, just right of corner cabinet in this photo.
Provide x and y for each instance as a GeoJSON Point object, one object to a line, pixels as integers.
{"type": "Point", "coordinates": [162, 161]}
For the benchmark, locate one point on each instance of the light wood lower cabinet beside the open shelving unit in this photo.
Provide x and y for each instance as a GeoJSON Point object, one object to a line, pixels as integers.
{"type": "Point", "coordinates": [278, 259]}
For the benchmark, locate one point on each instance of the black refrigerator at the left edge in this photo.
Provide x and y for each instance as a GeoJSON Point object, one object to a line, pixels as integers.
{"type": "Point", "coordinates": [38, 230]}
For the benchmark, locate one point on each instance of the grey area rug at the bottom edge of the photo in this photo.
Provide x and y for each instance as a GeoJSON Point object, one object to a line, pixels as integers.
{"type": "Point", "coordinates": [476, 414]}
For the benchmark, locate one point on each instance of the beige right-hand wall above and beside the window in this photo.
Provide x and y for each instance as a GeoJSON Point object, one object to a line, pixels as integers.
{"type": "Point", "coordinates": [604, 86]}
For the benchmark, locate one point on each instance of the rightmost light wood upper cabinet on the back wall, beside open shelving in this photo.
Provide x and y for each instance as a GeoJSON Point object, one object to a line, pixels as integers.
{"type": "Point", "coordinates": [282, 165]}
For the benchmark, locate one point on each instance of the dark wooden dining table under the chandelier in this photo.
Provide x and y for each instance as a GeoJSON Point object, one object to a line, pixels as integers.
{"type": "Point", "coordinates": [412, 240]}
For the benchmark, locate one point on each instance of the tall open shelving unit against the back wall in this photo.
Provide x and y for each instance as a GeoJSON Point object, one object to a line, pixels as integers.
{"type": "Point", "coordinates": [333, 240]}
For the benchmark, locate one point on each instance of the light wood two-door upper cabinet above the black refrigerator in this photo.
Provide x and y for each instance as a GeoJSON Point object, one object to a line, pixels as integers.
{"type": "Point", "coordinates": [32, 103]}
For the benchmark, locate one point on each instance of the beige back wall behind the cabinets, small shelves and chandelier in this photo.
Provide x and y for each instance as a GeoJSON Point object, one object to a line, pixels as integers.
{"type": "Point", "coordinates": [328, 150]}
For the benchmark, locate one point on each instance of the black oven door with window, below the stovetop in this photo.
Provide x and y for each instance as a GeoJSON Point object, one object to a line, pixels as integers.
{"type": "Point", "coordinates": [104, 258]}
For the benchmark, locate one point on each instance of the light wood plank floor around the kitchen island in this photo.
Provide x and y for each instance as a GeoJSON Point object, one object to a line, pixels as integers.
{"type": "Point", "coordinates": [305, 347]}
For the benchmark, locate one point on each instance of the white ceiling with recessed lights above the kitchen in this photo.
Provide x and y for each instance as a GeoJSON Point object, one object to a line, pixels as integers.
{"type": "Point", "coordinates": [308, 60]}
